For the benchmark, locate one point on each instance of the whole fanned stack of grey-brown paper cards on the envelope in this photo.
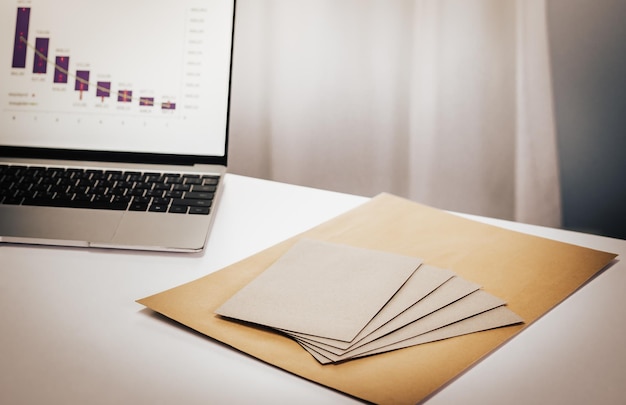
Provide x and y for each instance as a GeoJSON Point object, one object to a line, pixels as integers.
{"type": "Point", "coordinates": [341, 302]}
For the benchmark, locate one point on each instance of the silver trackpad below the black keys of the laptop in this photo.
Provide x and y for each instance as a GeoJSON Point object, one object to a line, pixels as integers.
{"type": "Point", "coordinates": [76, 227]}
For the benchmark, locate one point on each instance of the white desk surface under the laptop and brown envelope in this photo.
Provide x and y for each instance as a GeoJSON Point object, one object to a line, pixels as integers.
{"type": "Point", "coordinates": [72, 333]}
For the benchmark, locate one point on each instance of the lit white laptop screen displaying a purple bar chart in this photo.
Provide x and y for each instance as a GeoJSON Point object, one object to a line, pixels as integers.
{"type": "Point", "coordinates": [116, 76]}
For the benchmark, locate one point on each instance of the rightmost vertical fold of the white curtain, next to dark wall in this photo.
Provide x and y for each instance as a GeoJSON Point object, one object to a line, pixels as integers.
{"type": "Point", "coordinates": [538, 196]}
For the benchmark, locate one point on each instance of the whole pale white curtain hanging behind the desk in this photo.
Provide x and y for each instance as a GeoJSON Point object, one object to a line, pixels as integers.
{"type": "Point", "coordinates": [445, 102]}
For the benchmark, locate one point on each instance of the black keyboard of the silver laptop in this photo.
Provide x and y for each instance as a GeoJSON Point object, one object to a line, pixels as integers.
{"type": "Point", "coordinates": [107, 189]}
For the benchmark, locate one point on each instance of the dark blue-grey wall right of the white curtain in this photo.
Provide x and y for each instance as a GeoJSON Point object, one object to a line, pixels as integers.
{"type": "Point", "coordinates": [588, 54]}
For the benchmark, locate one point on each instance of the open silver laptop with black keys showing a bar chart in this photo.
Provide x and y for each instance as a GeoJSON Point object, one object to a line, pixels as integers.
{"type": "Point", "coordinates": [113, 121]}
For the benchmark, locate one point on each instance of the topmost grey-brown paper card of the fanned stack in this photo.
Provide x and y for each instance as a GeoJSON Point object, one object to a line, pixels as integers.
{"type": "Point", "coordinates": [322, 289]}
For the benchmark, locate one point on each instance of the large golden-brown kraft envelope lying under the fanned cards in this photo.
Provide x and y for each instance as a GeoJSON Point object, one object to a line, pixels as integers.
{"type": "Point", "coordinates": [530, 273]}
